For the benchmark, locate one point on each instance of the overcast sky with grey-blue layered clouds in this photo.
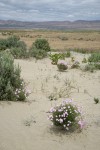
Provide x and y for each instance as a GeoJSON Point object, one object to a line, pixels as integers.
{"type": "Point", "coordinates": [49, 10]}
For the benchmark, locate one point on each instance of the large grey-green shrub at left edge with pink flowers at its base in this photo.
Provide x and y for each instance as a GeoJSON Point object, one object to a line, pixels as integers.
{"type": "Point", "coordinates": [12, 87]}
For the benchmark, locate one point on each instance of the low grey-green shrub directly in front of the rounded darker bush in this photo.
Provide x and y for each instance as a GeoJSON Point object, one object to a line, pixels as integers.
{"type": "Point", "coordinates": [37, 53]}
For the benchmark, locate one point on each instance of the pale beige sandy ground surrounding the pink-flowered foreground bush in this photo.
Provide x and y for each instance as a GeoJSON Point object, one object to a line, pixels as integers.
{"type": "Point", "coordinates": [24, 125]}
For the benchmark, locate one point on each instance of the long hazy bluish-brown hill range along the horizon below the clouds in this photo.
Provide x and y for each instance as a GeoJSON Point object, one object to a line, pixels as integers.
{"type": "Point", "coordinates": [51, 25]}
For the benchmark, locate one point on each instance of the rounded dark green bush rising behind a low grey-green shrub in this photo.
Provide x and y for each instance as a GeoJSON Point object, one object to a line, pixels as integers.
{"type": "Point", "coordinates": [42, 44]}
